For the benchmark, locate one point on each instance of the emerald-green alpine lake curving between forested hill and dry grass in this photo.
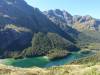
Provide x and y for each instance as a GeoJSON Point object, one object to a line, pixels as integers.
{"type": "Point", "coordinates": [43, 61]}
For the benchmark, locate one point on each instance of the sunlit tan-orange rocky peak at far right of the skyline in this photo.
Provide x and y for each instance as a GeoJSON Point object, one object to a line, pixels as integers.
{"type": "Point", "coordinates": [86, 23]}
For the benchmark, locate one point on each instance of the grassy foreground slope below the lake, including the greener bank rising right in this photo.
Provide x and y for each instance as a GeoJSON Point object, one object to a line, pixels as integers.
{"type": "Point", "coordinates": [80, 67]}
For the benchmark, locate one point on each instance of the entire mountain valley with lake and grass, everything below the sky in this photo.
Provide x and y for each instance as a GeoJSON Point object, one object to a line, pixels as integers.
{"type": "Point", "coordinates": [50, 42]}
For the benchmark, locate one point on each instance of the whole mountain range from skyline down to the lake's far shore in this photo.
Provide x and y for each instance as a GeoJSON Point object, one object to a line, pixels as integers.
{"type": "Point", "coordinates": [26, 31]}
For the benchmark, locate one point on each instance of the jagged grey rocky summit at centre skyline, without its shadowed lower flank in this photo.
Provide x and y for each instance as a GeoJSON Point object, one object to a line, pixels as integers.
{"type": "Point", "coordinates": [58, 14]}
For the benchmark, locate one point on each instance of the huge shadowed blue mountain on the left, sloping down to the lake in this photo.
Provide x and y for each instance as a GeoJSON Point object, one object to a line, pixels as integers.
{"type": "Point", "coordinates": [19, 23]}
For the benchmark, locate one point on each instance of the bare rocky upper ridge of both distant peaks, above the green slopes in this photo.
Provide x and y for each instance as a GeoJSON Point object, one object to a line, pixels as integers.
{"type": "Point", "coordinates": [78, 22]}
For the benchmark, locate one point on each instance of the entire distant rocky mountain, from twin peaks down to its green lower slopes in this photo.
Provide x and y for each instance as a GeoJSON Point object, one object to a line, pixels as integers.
{"type": "Point", "coordinates": [84, 29]}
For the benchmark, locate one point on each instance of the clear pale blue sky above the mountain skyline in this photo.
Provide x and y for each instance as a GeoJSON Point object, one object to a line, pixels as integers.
{"type": "Point", "coordinates": [75, 7]}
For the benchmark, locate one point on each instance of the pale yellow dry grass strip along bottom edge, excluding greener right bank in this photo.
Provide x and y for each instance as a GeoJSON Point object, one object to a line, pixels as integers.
{"type": "Point", "coordinates": [61, 70]}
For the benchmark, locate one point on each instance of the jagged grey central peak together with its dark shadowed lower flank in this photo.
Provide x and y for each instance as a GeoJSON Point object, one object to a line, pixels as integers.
{"type": "Point", "coordinates": [62, 19]}
